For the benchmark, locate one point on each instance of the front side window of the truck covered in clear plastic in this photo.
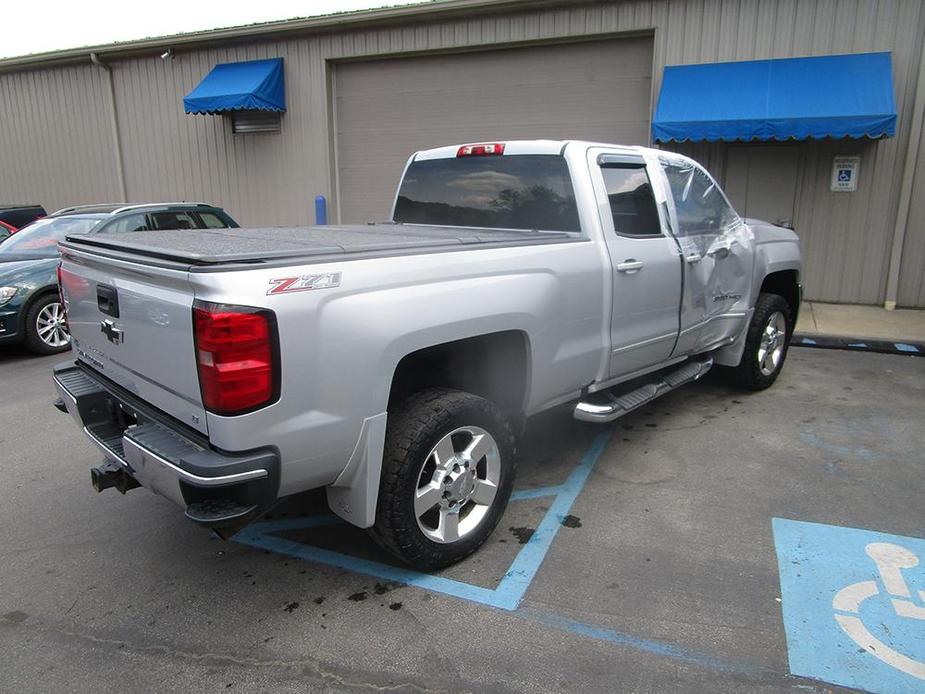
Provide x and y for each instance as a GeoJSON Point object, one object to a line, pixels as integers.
{"type": "Point", "coordinates": [701, 207]}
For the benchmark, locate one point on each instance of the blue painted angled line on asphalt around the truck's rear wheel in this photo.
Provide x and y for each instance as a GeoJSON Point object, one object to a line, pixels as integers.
{"type": "Point", "coordinates": [509, 591]}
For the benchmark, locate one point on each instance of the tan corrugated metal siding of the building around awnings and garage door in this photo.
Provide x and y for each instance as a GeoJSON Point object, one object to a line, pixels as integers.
{"type": "Point", "coordinates": [272, 178]}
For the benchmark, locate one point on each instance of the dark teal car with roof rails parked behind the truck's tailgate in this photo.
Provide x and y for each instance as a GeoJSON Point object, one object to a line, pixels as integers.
{"type": "Point", "coordinates": [30, 308]}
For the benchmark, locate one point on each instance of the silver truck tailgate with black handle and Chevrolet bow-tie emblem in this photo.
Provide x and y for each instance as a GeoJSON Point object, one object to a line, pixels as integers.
{"type": "Point", "coordinates": [133, 324]}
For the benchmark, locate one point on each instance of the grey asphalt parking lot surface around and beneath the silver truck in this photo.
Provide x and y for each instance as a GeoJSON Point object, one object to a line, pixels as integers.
{"type": "Point", "coordinates": [643, 556]}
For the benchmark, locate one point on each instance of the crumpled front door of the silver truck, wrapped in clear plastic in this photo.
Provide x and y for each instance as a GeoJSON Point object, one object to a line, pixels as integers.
{"type": "Point", "coordinates": [718, 254]}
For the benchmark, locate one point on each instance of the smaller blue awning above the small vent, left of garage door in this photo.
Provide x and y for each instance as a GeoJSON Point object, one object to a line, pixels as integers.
{"type": "Point", "coordinates": [254, 85]}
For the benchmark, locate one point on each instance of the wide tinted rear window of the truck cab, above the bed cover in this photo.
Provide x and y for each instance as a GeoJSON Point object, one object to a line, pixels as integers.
{"type": "Point", "coordinates": [525, 191]}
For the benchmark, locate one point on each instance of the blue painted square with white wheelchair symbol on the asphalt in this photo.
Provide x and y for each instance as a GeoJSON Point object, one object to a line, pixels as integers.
{"type": "Point", "coordinates": [853, 605]}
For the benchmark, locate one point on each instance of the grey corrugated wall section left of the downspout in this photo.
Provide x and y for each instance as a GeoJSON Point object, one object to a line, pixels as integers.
{"type": "Point", "coordinates": [55, 138]}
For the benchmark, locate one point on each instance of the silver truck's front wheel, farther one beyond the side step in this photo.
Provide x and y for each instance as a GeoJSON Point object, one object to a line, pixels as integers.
{"type": "Point", "coordinates": [766, 343]}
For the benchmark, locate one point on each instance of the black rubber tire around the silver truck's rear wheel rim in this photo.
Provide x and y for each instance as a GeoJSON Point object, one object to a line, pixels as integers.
{"type": "Point", "coordinates": [413, 430]}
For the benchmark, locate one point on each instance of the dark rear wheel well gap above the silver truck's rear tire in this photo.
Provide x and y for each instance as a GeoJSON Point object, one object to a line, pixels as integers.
{"type": "Point", "coordinates": [493, 366]}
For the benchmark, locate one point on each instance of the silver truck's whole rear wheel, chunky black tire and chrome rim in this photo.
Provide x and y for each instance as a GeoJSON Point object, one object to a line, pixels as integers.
{"type": "Point", "coordinates": [447, 475]}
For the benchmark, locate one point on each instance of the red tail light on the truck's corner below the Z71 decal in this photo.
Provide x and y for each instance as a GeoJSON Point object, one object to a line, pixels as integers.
{"type": "Point", "coordinates": [237, 354]}
